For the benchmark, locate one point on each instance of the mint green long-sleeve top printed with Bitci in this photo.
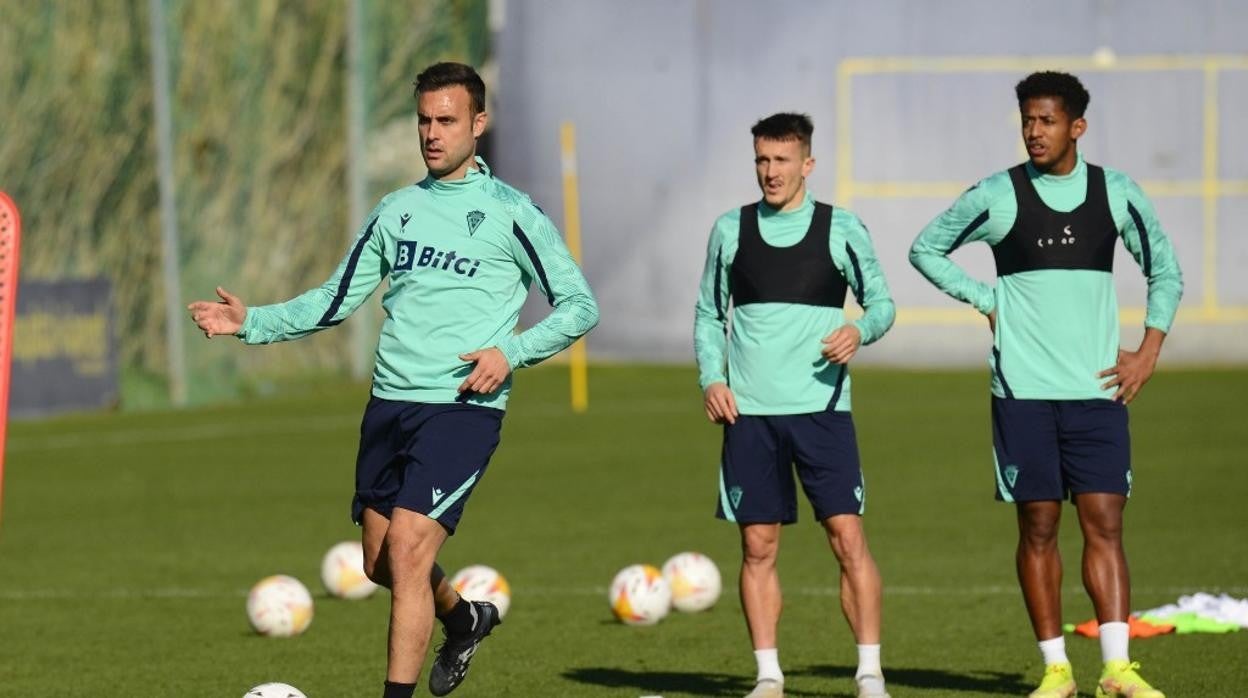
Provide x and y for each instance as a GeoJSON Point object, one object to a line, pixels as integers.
{"type": "Point", "coordinates": [460, 258]}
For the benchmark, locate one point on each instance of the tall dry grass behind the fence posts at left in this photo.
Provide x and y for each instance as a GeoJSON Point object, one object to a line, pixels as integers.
{"type": "Point", "coordinates": [260, 150]}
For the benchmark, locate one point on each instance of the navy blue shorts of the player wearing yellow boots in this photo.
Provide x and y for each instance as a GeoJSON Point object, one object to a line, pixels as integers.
{"type": "Point", "coordinates": [1058, 449]}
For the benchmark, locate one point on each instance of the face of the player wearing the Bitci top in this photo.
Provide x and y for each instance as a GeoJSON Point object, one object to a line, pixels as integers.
{"type": "Point", "coordinates": [449, 130]}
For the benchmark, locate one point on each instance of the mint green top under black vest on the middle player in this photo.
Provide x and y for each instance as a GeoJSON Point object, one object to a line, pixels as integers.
{"type": "Point", "coordinates": [773, 361]}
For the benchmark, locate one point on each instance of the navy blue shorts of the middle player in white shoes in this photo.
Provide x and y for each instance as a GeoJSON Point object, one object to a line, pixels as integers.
{"type": "Point", "coordinates": [757, 469]}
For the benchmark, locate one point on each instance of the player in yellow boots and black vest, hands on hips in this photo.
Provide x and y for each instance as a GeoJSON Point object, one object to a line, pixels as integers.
{"type": "Point", "coordinates": [1060, 380]}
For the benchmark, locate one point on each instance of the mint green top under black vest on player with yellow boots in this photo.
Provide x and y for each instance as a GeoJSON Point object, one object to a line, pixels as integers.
{"type": "Point", "coordinates": [1056, 329]}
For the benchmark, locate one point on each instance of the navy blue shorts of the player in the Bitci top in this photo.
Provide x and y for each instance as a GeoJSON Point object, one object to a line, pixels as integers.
{"type": "Point", "coordinates": [422, 458]}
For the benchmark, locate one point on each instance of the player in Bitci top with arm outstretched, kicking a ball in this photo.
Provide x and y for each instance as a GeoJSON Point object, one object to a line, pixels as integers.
{"type": "Point", "coordinates": [460, 252]}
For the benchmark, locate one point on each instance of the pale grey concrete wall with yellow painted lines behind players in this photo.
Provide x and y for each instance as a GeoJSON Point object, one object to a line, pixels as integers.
{"type": "Point", "coordinates": [663, 94]}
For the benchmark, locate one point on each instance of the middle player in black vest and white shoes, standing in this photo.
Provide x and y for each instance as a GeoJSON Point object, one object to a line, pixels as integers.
{"type": "Point", "coordinates": [781, 385]}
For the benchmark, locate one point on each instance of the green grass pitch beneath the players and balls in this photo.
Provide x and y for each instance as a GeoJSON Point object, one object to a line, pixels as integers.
{"type": "Point", "coordinates": [129, 543]}
